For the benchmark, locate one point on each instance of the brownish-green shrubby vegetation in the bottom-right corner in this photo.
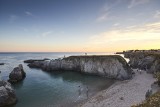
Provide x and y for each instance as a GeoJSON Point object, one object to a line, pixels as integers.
{"type": "Point", "coordinates": [152, 101]}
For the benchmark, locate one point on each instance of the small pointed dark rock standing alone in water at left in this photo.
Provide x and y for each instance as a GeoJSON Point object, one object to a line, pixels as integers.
{"type": "Point", "coordinates": [17, 74]}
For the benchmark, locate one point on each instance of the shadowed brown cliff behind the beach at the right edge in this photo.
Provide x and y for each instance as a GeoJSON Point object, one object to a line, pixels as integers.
{"type": "Point", "coordinates": [144, 60]}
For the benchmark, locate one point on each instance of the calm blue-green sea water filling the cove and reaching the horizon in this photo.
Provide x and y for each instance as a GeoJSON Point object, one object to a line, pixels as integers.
{"type": "Point", "coordinates": [56, 89]}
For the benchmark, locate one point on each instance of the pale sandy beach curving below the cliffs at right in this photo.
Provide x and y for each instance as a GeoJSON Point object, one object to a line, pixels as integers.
{"type": "Point", "coordinates": [123, 93]}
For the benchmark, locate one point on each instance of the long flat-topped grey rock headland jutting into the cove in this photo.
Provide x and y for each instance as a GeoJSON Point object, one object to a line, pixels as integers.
{"type": "Point", "coordinates": [112, 66]}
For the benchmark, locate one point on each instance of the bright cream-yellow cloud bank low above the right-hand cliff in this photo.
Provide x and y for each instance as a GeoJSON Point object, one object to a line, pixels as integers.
{"type": "Point", "coordinates": [144, 36]}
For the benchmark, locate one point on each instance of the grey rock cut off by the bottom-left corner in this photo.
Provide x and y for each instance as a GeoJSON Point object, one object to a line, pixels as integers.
{"type": "Point", "coordinates": [7, 94]}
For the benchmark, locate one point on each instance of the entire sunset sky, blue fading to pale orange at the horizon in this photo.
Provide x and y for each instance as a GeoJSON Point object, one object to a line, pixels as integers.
{"type": "Point", "coordinates": [79, 25]}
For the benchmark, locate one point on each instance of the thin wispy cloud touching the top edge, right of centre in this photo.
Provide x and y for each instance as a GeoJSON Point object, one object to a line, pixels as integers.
{"type": "Point", "coordinates": [134, 3]}
